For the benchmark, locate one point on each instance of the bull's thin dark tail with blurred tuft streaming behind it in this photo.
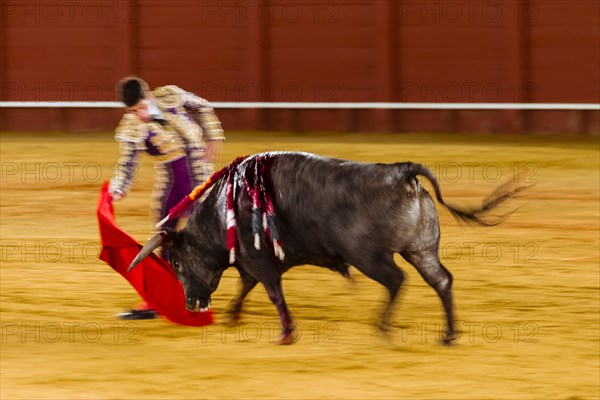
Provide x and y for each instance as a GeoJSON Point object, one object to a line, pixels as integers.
{"type": "Point", "coordinates": [504, 192]}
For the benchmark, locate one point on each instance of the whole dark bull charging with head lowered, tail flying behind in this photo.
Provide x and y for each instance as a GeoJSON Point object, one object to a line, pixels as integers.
{"type": "Point", "coordinates": [331, 213]}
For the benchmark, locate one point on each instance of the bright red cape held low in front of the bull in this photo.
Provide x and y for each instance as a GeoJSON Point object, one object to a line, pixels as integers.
{"type": "Point", "coordinates": [154, 278]}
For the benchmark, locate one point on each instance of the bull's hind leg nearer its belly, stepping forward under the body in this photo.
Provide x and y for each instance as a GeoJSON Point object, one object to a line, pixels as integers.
{"type": "Point", "coordinates": [382, 268]}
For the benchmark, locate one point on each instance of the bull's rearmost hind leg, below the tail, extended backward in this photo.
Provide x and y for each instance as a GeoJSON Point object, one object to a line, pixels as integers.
{"type": "Point", "coordinates": [438, 277]}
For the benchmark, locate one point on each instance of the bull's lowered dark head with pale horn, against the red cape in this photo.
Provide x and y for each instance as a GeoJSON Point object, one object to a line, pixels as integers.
{"type": "Point", "coordinates": [196, 268]}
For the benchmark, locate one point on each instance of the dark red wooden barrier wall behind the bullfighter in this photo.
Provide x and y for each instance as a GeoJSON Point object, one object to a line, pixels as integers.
{"type": "Point", "coordinates": [308, 50]}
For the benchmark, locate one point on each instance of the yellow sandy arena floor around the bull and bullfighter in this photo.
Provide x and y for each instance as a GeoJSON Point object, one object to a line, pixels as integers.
{"type": "Point", "coordinates": [527, 291]}
